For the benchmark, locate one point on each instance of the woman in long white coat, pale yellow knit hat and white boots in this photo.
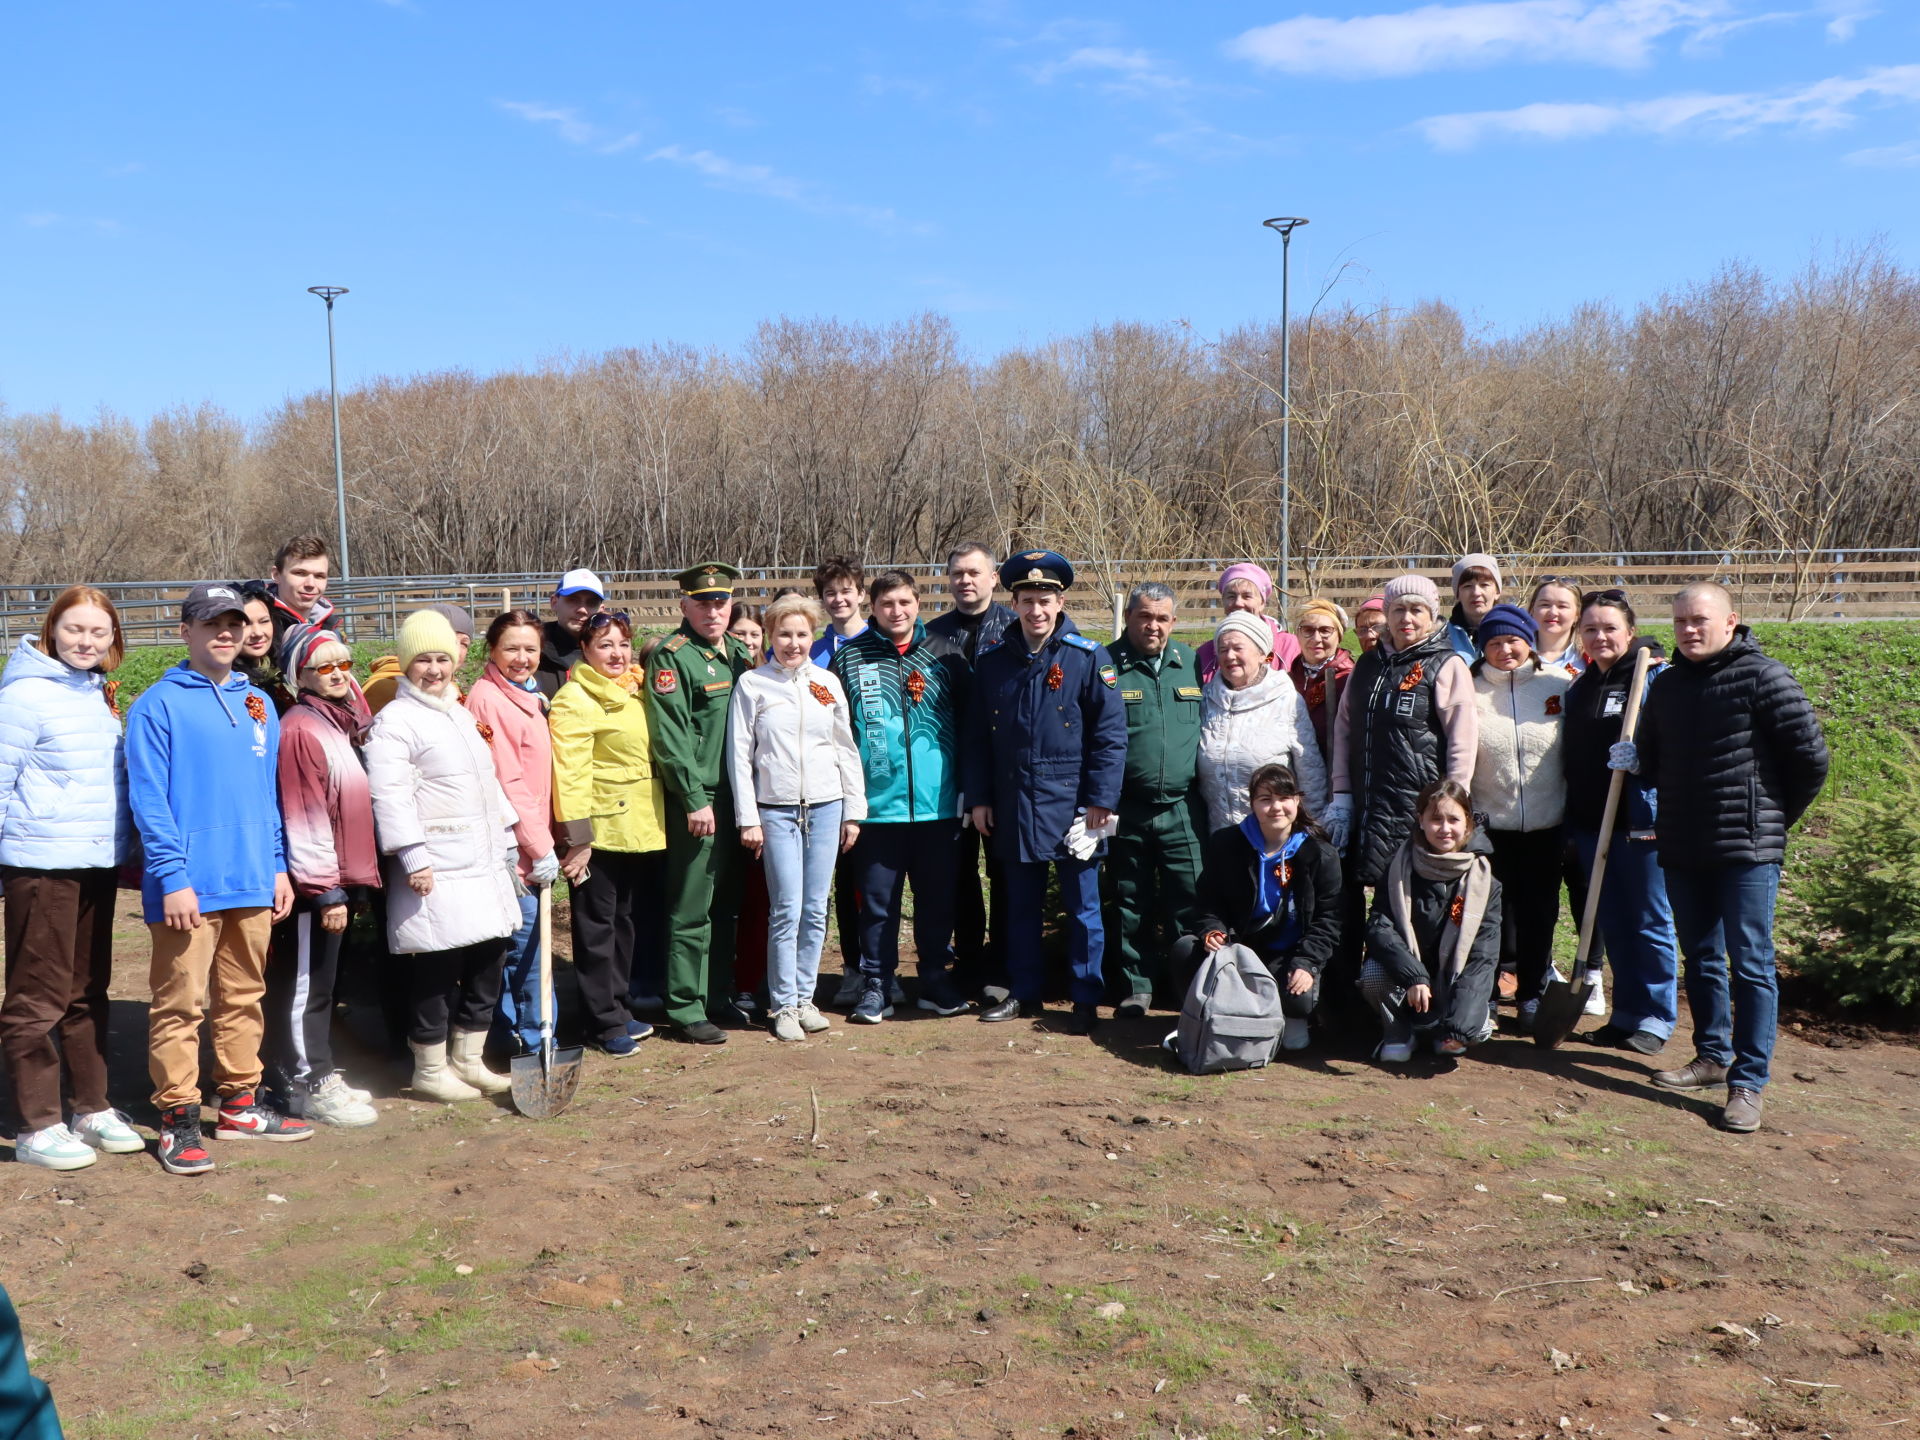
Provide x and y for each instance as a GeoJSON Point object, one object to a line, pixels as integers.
{"type": "Point", "coordinates": [450, 834]}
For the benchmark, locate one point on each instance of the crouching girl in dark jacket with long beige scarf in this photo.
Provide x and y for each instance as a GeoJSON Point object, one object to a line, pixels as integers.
{"type": "Point", "coordinates": [1433, 944]}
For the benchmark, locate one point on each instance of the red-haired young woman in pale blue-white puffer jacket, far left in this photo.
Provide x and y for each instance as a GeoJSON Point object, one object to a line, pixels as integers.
{"type": "Point", "coordinates": [64, 830]}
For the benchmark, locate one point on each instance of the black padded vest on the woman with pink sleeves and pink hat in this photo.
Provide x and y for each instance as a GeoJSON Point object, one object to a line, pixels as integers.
{"type": "Point", "coordinates": [1395, 748]}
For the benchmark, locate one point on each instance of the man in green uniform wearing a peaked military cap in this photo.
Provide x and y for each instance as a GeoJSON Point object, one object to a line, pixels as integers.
{"type": "Point", "coordinates": [690, 686]}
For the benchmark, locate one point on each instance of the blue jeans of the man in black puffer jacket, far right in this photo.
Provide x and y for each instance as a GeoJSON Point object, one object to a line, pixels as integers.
{"type": "Point", "coordinates": [1725, 919]}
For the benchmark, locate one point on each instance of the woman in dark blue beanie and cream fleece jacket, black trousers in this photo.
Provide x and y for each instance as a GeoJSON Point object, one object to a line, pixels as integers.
{"type": "Point", "coordinates": [1520, 786]}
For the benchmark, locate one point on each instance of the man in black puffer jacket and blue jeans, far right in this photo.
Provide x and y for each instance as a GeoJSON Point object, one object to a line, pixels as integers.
{"type": "Point", "coordinates": [1737, 756]}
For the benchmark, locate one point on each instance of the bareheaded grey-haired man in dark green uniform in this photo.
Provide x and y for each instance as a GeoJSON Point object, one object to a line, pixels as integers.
{"type": "Point", "coordinates": [1153, 865]}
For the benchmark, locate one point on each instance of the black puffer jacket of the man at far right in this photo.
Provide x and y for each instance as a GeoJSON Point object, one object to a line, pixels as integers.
{"type": "Point", "coordinates": [1737, 754]}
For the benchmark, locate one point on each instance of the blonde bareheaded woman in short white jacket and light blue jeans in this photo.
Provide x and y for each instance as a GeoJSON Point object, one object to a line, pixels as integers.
{"type": "Point", "coordinates": [800, 796]}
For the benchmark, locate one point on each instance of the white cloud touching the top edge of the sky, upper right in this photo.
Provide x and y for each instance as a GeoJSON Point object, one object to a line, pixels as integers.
{"type": "Point", "coordinates": [1618, 34]}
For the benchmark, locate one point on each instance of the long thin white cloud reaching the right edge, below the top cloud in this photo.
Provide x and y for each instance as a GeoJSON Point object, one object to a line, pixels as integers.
{"type": "Point", "coordinates": [1827, 105]}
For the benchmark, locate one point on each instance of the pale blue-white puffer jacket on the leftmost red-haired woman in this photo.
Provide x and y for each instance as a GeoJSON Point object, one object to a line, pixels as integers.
{"type": "Point", "coordinates": [62, 767]}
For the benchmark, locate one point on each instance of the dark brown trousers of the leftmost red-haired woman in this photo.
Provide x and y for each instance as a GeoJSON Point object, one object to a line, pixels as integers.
{"type": "Point", "coordinates": [59, 965]}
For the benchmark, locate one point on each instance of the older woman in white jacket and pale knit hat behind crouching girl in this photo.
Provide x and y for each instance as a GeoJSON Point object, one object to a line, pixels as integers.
{"type": "Point", "coordinates": [1251, 717]}
